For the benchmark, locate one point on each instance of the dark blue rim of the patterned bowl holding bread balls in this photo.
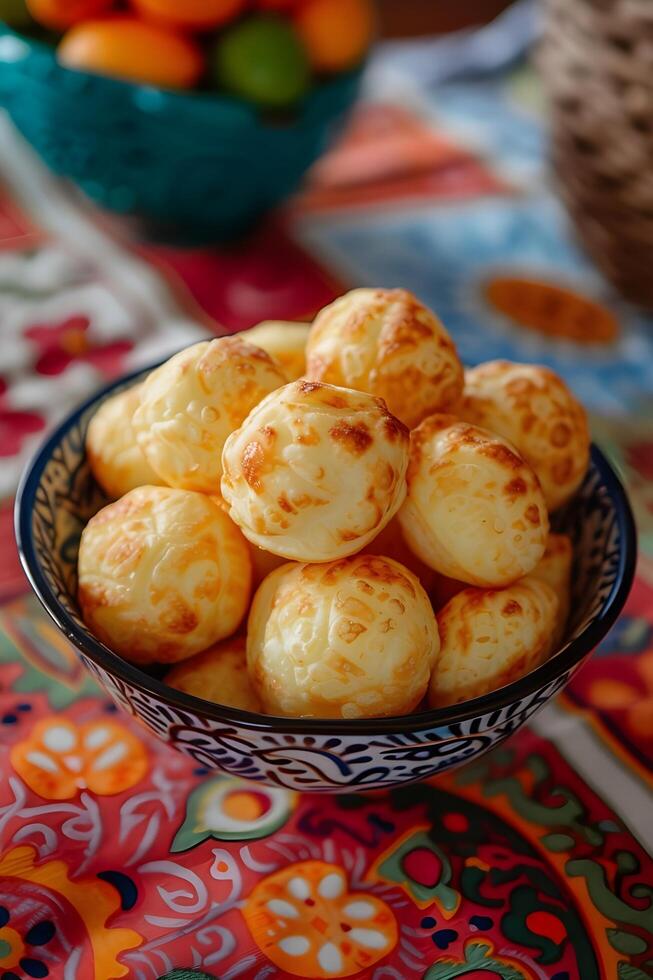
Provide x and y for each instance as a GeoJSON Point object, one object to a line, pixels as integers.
{"type": "Point", "coordinates": [98, 653]}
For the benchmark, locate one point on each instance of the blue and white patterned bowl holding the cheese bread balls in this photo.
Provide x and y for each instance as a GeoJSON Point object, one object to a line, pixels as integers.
{"type": "Point", "coordinates": [57, 497]}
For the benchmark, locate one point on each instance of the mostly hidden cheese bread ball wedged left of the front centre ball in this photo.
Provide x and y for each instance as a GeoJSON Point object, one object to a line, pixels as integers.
{"type": "Point", "coordinates": [218, 674]}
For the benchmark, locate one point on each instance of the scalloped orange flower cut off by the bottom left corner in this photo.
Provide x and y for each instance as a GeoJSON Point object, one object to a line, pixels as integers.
{"type": "Point", "coordinates": [92, 900]}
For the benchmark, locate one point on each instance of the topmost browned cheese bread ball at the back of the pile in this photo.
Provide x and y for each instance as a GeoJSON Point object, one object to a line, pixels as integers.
{"type": "Point", "coordinates": [386, 342]}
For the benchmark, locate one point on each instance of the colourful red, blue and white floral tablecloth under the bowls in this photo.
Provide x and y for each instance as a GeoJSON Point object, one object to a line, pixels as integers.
{"type": "Point", "coordinates": [121, 857]}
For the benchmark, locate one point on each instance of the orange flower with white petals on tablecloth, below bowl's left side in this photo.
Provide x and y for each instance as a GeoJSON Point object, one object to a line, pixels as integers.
{"type": "Point", "coordinates": [59, 758]}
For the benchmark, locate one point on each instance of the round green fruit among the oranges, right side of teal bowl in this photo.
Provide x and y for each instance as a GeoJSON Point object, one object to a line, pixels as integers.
{"type": "Point", "coordinates": [262, 60]}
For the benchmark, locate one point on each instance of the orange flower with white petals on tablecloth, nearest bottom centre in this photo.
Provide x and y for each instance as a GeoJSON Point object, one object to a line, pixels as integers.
{"type": "Point", "coordinates": [309, 924]}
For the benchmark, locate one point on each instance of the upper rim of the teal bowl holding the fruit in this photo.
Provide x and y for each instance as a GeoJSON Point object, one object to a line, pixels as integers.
{"type": "Point", "coordinates": [151, 99]}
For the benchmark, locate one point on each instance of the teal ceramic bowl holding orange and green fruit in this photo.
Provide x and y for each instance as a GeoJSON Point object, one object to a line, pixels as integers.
{"type": "Point", "coordinates": [196, 164]}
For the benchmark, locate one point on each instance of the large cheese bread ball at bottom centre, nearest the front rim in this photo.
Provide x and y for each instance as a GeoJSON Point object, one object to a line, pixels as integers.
{"type": "Point", "coordinates": [354, 638]}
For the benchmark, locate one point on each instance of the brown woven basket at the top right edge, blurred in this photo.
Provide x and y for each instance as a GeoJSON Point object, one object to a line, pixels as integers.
{"type": "Point", "coordinates": [597, 62]}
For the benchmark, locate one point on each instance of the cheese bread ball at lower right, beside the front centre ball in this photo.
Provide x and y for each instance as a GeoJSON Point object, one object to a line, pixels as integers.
{"type": "Point", "coordinates": [490, 638]}
